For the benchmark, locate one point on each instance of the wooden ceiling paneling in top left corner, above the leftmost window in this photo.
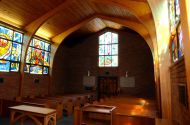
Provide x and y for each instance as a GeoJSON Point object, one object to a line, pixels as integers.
{"type": "Point", "coordinates": [22, 12]}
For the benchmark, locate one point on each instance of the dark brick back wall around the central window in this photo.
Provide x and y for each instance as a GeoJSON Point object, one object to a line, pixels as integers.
{"type": "Point", "coordinates": [72, 63]}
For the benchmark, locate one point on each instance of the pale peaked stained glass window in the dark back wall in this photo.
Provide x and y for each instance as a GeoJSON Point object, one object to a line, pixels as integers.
{"type": "Point", "coordinates": [108, 50]}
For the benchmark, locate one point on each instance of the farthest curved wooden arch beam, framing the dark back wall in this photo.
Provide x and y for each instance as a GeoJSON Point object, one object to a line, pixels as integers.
{"type": "Point", "coordinates": [138, 27]}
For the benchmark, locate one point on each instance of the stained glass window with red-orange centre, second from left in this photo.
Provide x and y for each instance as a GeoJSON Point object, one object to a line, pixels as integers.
{"type": "Point", "coordinates": [38, 57]}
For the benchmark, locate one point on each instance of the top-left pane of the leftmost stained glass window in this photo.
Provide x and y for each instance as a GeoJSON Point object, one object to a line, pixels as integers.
{"type": "Point", "coordinates": [6, 33]}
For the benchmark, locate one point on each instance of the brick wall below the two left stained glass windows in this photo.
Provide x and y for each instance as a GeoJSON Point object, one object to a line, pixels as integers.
{"type": "Point", "coordinates": [9, 89]}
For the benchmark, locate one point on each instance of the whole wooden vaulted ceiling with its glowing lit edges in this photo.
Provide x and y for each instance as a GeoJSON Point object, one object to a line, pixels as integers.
{"type": "Point", "coordinates": [97, 15]}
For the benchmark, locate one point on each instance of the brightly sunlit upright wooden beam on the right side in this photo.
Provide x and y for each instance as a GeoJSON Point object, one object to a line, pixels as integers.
{"type": "Point", "coordinates": [162, 61]}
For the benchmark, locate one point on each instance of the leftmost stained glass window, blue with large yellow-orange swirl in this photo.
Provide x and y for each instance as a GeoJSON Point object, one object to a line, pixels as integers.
{"type": "Point", "coordinates": [10, 49]}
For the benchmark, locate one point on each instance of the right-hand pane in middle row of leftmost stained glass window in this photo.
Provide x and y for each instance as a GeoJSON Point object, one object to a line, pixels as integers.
{"type": "Point", "coordinates": [16, 52]}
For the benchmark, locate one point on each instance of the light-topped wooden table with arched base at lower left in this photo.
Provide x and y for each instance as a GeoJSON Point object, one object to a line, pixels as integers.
{"type": "Point", "coordinates": [41, 116]}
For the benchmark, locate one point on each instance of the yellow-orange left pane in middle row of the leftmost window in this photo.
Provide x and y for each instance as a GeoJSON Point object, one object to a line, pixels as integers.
{"type": "Point", "coordinates": [5, 49]}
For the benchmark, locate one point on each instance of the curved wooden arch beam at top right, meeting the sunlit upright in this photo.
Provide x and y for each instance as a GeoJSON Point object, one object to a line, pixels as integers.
{"type": "Point", "coordinates": [139, 9]}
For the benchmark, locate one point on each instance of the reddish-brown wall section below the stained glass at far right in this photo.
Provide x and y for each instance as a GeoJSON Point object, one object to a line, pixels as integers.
{"type": "Point", "coordinates": [178, 78]}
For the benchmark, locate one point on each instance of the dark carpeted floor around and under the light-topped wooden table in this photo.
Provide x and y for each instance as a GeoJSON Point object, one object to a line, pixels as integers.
{"type": "Point", "coordinates": [63, 121]}
